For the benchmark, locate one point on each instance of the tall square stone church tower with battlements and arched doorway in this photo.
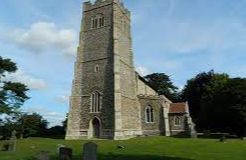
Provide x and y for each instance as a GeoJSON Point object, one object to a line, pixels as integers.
{"type": "Point", "coordinates": [104, 102]}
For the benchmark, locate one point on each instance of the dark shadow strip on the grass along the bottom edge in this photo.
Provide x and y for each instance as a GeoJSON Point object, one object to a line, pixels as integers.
{"type": "Point", "coordinates": [128, 157]}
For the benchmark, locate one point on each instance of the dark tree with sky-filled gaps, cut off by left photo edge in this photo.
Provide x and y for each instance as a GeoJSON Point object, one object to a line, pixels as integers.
{"type": "Point", "coordinates": [12, 95]}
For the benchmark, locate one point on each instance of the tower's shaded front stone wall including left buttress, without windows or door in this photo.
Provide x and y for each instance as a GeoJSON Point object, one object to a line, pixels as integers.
{"type": "Point", "coordinates": [95, 49]}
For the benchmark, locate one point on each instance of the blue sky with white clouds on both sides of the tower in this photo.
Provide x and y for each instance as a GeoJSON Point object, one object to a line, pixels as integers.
{"type": "Point", "coordinates": [176, 37]}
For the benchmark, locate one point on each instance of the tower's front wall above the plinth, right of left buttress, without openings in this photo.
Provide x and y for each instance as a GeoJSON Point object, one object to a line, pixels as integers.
{"type": "Point", "coordinates": [98, 51]}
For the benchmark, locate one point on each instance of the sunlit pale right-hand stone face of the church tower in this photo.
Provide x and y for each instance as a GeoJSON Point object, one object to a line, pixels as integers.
{"type": "Point", "coordinates": [128, 117]}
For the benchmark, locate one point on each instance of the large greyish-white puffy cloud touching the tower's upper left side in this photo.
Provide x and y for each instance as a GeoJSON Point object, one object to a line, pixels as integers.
{"type": "Point", "coordinates": [44, 36]}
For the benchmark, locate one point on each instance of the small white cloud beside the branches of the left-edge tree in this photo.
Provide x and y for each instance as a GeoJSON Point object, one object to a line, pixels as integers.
{"type": "Point", "coordinates": [30, 81]}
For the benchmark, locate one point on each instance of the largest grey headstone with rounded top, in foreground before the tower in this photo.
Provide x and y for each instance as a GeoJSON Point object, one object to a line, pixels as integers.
{"type": "Point", "coordinates": [90, 151]}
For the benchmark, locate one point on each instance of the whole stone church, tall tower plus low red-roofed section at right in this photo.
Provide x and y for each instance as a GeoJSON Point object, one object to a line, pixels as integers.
{"type": "Point", "coordinates": [110, 100]}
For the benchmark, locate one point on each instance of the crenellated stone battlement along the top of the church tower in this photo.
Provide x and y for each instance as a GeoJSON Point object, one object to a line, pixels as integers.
{"type": "Point", "coordinates": [100, 3]}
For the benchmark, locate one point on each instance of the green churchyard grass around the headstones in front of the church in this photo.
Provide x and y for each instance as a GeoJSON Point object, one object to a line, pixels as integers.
{"type": "Point", "coordinates": [146, 148]}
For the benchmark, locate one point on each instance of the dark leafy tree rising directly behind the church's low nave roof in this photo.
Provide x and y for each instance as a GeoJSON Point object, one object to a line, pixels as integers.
{"type": "Point", "coordinates": [163, 85]}
